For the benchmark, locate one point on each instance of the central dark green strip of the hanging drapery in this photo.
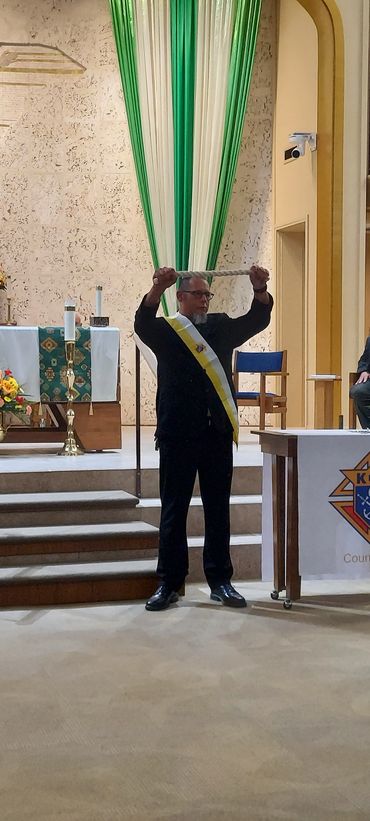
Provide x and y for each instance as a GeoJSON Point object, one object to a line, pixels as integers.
{"type": "Point", "coordinates": [183, 14]}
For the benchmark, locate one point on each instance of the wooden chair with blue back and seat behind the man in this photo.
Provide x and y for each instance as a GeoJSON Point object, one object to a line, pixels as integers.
{"type": "Point", "coordinates": [269, 363]}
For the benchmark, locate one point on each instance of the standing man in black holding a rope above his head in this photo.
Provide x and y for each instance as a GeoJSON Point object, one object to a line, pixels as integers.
{"type": "Point", "coordinates": [197, 420]}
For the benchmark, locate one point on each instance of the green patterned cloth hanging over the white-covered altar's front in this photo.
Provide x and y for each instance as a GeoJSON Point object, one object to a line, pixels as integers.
{"type": "Point", "coordinates": [53, 366]}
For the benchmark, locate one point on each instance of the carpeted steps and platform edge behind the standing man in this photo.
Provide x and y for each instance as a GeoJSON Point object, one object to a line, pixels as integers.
{"type": "Point", "coordinates": [74, 528]}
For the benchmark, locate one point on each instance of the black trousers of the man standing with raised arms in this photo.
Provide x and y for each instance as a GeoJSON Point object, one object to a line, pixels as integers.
{"type": "Point", "coordinates": [211, 455]}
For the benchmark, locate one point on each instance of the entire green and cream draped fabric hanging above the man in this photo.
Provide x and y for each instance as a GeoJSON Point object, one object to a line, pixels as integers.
{"type": "Point", "coordinates": [186, 67]}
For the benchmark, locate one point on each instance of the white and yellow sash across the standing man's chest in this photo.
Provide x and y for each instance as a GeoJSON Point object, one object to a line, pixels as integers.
{"type": "Point", "coordinates": [209, 361]}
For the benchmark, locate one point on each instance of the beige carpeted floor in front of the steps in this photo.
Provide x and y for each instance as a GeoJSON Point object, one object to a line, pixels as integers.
{"type": "Point", "coordinates": [112, 713]}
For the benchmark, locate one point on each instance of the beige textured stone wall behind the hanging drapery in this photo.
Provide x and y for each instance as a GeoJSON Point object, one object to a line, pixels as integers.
{"type": "Point", "coordinates": [70, 211]}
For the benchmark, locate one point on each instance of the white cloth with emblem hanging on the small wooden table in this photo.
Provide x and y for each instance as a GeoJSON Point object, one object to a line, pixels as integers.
{"type": "Point", "coordinates": [330, 547]}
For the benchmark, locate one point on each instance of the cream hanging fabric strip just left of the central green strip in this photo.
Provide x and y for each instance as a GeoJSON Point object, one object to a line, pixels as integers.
{"type": "Point", "coordinates": [152, 23]}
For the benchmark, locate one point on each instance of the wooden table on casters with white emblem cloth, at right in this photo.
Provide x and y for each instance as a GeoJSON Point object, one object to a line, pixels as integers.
{"type": "Point", "coordinates": [316, 507]}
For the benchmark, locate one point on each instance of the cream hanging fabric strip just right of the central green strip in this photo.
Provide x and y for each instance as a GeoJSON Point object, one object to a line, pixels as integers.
{"type": "Point", "coordinates": [212, 65]}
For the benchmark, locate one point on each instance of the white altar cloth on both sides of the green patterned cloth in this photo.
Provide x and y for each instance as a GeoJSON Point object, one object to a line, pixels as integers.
{"type": "Point", "coordinates": [19, 351]}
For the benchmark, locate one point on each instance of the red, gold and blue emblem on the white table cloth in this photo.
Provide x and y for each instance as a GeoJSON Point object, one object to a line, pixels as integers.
{"type": "Point", "coordinates": [354, 493]}
